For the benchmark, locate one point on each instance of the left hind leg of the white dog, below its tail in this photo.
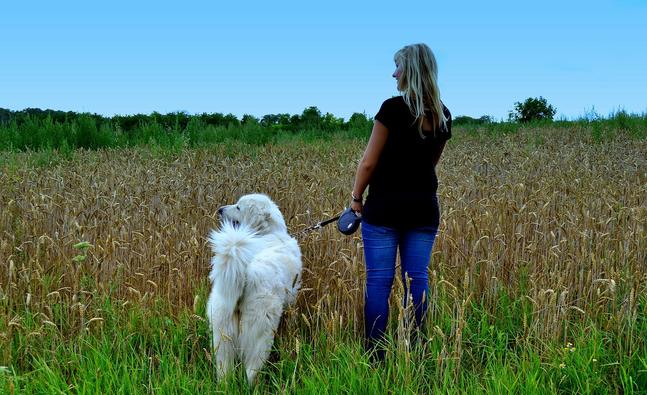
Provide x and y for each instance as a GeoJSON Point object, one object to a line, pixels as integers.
{"type": "Point", "coordinates": [224, 327]}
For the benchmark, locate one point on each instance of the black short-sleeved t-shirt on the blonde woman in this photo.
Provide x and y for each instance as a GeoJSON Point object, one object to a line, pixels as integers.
{"type": "Point", "coordinates": [402, 188]}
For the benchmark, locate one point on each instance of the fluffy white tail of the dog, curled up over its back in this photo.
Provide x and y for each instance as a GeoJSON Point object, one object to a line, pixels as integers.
{"type": "Point", "coordinates": [233, 248]}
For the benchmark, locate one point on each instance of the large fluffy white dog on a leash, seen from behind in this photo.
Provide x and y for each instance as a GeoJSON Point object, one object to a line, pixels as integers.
{"type": "Point", "coordinates": [255, 274]}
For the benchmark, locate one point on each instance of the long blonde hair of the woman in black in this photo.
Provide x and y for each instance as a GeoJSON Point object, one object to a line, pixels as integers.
{"type": "Point", "coordinates": [418, 84]}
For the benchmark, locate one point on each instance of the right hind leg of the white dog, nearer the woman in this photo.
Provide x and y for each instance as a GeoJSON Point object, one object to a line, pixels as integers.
{"type": "Point", "coordinates": [260, 316]}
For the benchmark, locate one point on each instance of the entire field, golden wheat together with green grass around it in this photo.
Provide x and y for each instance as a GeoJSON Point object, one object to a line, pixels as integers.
{"type": "Point", "coordinates": [537, 280]}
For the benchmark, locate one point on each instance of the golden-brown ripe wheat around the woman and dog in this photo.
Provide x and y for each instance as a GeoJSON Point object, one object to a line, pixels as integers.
{"type": "Point", "coordinates": [560, 222]}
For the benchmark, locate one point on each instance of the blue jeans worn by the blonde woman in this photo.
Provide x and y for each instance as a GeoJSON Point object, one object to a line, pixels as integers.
{"type": "Point", "coordinates": [380, 247]}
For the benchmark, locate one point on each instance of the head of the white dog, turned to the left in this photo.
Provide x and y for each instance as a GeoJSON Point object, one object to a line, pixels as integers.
{"type": "Point", "coordinates": [256, 211]}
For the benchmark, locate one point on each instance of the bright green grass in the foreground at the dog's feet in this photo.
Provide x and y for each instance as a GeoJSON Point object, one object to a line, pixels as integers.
{"type": "Point", "coordinates": [134, 349]}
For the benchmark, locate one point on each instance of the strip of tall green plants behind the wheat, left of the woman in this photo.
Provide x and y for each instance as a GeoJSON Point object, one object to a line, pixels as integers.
{"type": "Point", "coordinates": [87, 132]}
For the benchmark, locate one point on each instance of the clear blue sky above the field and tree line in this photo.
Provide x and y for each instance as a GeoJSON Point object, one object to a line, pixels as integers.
{"type": "Point", "coordinates": [266, 57]}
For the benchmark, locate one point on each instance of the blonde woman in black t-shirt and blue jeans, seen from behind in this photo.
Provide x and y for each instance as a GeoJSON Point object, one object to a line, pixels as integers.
{"type": "Point", "coordinates": [401, 209]}
